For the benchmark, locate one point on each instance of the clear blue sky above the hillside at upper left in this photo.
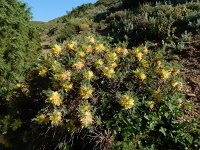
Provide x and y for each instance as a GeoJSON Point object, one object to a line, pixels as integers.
{"type": "Point", "coordinates": [46, 10]}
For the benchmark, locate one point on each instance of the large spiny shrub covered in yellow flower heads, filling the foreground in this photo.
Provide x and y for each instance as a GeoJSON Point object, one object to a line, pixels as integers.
{"type": "Point", "coordinates": [90, 94]}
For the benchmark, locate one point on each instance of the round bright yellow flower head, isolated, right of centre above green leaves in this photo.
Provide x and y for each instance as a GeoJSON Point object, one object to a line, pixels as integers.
{"type": "Point", "coordinates": [126, 101]}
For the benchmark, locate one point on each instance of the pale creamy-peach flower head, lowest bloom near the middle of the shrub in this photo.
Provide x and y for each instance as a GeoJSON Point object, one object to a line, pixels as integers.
{"type": "Point", "coordinates": [86, 119]}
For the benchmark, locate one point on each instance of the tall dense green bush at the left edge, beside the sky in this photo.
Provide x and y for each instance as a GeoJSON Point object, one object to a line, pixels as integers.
{"type": "Point", "coordinates": [19, 44]}
